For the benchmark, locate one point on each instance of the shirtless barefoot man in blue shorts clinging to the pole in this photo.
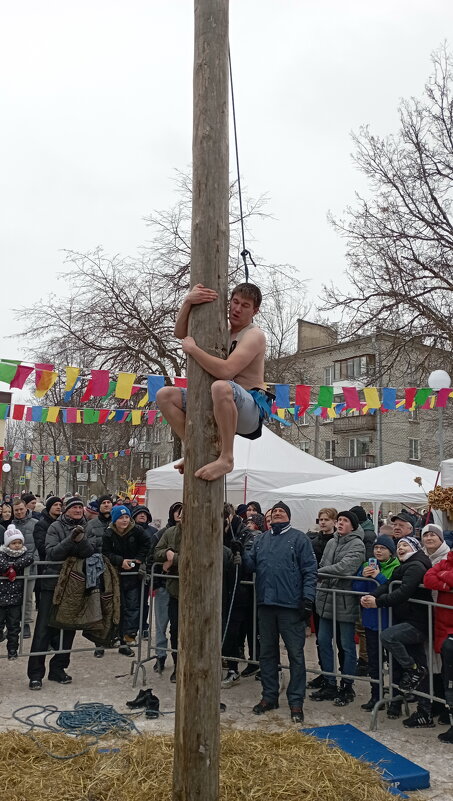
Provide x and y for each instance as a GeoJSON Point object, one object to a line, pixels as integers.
{"type": "Point", "coordinates": [238, 395]}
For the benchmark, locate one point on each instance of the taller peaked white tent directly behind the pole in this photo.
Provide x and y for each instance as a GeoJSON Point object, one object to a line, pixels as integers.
{"type": "Point", "coordinates": [260, 465]}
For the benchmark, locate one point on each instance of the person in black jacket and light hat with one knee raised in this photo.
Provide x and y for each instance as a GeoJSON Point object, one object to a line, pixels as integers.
{"type": "Point", "coordinates": [405, 638]}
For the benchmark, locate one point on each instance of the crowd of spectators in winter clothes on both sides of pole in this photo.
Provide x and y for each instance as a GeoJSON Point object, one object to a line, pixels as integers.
{"type": "Point", "coordinates": [363, 593]}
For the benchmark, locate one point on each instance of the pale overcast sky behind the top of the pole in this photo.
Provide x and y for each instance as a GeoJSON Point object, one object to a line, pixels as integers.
{"type": "Point", "coordinates": [96, 116]}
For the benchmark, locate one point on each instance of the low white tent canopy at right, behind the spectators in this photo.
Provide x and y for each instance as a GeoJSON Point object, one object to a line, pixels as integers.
{"type": "Point", "coordinates": [393, 483]}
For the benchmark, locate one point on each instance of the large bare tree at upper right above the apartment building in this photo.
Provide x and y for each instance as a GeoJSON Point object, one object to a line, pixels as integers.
{"type": "Point", "coordinates": [400, 238]}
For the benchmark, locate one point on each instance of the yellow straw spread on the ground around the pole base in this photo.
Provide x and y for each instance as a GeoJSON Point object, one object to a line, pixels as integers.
{"type": "Point", "coordinates": [255, 766]}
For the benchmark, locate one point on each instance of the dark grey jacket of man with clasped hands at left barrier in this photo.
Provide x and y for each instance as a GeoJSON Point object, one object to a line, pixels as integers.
{"type": "Point", "coordinates": [60, 545]}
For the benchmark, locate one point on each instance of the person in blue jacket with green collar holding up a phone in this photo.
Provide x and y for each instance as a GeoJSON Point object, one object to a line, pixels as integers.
{"type": "Point", "coordinates": [385, 554]}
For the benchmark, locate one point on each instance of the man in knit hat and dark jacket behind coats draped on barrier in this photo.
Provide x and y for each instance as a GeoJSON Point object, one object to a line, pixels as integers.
{"type": "Point", "coordinates": [65, 537]}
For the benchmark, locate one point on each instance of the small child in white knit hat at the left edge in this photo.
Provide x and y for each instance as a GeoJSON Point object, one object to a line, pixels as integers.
{"type": "Point", "coordinates": [14, 558]}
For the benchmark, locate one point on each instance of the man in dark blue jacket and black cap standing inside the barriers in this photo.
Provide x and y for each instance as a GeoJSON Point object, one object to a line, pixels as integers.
{"type": "Point", "coordinates": [286, 572]}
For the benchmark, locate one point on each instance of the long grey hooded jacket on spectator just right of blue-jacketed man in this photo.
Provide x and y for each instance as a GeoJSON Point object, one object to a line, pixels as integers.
{"type": "Point", "coordinates": [342, 557]}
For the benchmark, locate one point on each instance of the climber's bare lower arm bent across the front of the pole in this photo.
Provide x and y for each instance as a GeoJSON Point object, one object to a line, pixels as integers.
{"type": "Point", "coordinates": [251, 345]}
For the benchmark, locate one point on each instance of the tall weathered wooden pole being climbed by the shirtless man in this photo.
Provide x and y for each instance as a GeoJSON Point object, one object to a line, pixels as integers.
{"type": "Point", "coordinates": [197, 725]}
